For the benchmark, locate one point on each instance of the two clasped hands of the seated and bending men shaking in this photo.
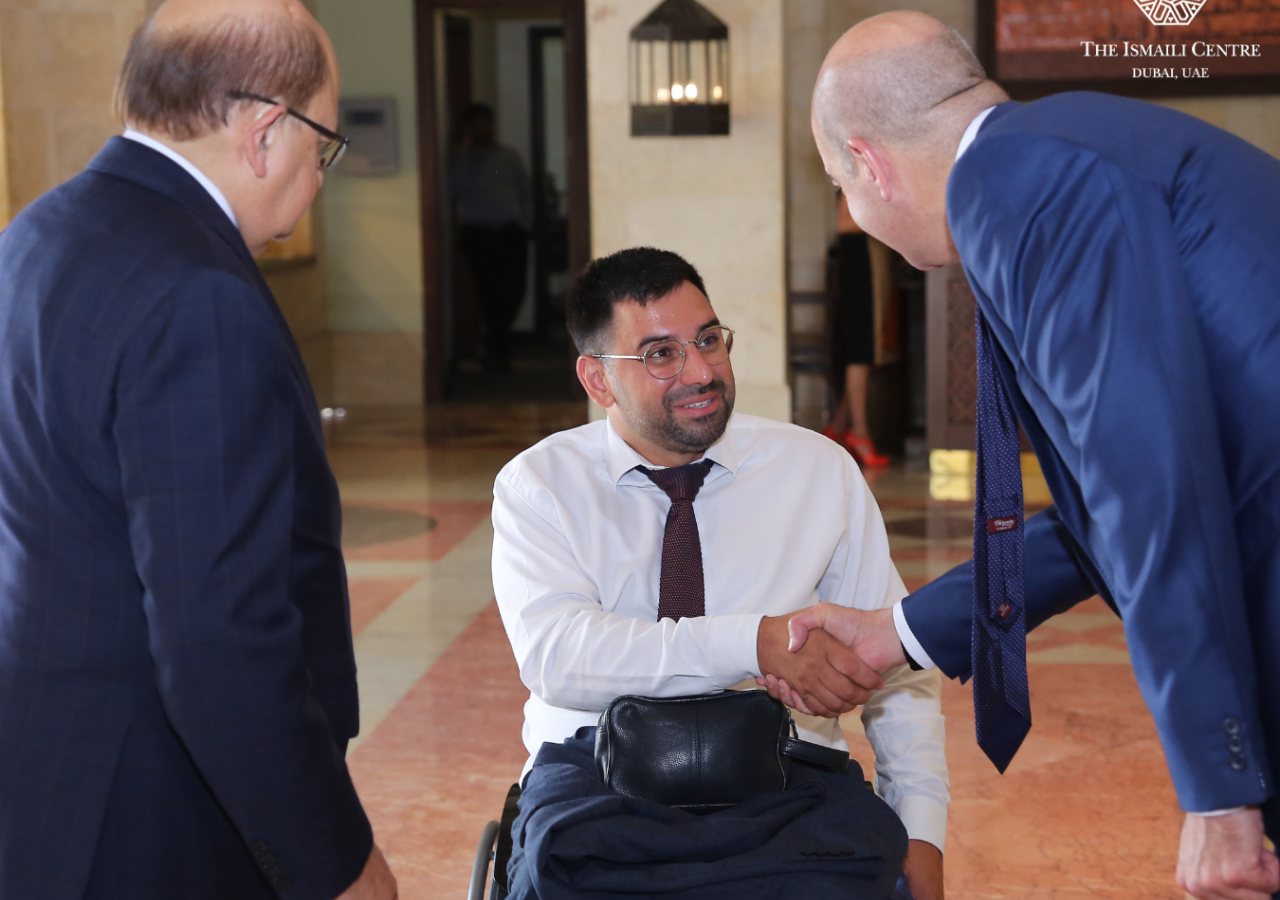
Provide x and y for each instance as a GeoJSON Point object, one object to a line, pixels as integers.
{"type": "Point", "coordinates": [828, 660]}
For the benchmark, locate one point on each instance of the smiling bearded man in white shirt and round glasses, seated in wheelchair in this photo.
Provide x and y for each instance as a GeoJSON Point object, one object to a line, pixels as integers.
{"type": "Point", "coordinates": [659, 552]}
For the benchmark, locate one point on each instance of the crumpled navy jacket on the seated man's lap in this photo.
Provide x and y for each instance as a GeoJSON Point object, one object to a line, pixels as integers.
{"type": "Point", "coordinates": [825, 838]}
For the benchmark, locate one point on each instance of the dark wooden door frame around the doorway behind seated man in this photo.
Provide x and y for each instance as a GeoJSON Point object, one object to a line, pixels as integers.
{"type": "Point", "coordinates": [431, 118]}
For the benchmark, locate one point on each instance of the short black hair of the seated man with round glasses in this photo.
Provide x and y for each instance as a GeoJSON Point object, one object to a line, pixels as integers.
{"type": "Point", "coordinates": [637, 275]}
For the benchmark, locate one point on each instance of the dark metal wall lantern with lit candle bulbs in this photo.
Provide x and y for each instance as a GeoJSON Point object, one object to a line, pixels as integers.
{"type": "Point", "coordinates": [679, 72]}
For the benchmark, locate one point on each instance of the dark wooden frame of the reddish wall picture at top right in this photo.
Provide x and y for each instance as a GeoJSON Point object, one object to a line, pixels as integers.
{"type": "Point", "coordinates": [1131, 88]}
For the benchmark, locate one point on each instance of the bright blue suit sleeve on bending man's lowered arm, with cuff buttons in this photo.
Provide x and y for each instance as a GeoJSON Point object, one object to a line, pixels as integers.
{"type": "Point", "coordinates": [1078, 266]}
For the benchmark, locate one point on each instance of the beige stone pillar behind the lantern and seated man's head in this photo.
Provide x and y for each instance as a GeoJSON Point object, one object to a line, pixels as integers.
{"type": "Point", "coordinates": [720, 202]}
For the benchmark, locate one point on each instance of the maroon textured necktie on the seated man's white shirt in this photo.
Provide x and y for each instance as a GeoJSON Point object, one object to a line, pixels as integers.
{"type": "Point", "coordinates": [682, 593]}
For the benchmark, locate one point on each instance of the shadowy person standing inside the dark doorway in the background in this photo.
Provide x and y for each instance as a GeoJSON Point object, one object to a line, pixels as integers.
{"type": "Point", "coordinates": [495, 216]}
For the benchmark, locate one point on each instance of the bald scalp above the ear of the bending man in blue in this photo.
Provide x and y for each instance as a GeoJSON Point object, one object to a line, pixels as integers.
{"type": "Point", "coordinates": [900, 80]}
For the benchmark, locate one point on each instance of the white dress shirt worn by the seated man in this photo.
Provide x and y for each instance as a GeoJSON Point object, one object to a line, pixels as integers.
{"type": "Point", "coordinates": [785, 522]}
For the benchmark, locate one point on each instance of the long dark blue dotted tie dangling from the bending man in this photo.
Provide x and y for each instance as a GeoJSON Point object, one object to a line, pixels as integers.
{"type": "Point", "coordinates": [1002, 698]}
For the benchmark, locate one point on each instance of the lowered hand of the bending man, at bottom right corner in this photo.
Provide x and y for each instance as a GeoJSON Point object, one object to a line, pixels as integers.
{"type": "Point", "coordinates": [1226, 858]}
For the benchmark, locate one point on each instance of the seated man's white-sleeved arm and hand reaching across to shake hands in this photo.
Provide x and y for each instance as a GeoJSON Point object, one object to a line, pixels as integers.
{"type": "Point", "coordinates": [577, 656]}
